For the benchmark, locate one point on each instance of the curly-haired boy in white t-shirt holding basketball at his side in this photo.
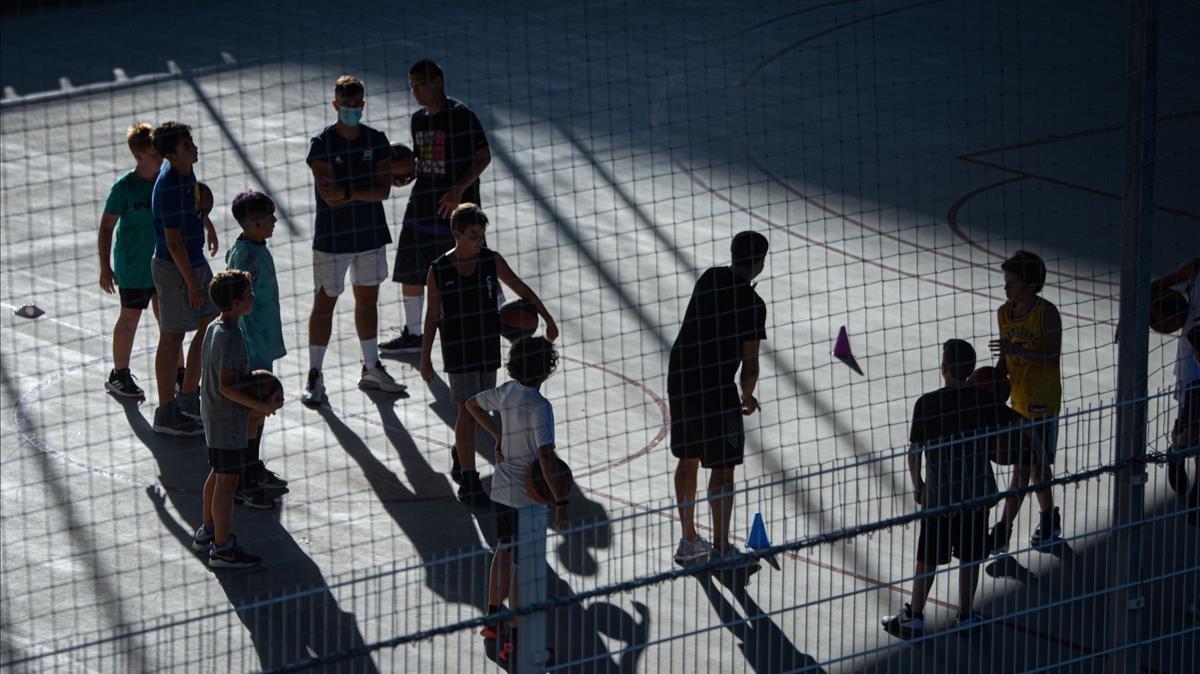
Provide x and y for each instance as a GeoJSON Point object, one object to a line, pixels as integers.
{"type": "Point", "coordinates": [529, 423]}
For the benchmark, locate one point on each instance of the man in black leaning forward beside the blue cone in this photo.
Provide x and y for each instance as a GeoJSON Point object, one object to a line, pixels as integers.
{"type": "Point", "coordinates": [721, 334]}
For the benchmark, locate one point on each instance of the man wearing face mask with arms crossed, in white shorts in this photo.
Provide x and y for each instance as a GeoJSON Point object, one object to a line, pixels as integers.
{"type": "Point", "coordinates": [351, 167]}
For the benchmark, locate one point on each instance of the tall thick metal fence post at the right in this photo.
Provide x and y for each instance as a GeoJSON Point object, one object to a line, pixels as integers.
{"type": "Point", "coordinates": [1126, 600]}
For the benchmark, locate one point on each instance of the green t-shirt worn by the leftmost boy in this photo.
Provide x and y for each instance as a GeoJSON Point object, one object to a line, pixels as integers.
{"type": "Point", "coordinates": [134, 249]}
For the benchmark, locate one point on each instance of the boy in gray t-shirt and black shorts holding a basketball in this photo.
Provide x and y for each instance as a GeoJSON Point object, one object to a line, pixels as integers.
{"type": "Point", "coordinates": [229, 411]}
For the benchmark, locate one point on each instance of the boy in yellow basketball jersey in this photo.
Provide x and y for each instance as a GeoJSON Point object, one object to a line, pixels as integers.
{"type": "Point", "coordinates": [1029, 351]}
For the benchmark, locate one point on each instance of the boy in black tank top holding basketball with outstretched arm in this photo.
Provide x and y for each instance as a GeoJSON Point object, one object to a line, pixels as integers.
{"type": "Point", "coordinates": [463, 287]}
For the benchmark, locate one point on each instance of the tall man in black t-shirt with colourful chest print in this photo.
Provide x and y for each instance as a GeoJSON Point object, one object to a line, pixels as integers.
{"type": "Point", "coordinates": [452, 153]}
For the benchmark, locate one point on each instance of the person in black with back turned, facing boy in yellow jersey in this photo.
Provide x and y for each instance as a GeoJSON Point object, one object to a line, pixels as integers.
{"type": "Point", "coordinates": [950, 429]}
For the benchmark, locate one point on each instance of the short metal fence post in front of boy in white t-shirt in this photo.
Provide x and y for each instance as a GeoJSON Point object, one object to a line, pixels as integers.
{"type": "Point", "coordinates": [532, 579]}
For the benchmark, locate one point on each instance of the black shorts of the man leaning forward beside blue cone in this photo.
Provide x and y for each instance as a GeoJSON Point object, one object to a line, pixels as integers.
{"type": "Point", "coordinates": [707, 429]}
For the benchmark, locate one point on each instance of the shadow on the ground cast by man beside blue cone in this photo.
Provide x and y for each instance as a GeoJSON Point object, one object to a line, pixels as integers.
{"type": "Point", "coordinates": [766, 647]}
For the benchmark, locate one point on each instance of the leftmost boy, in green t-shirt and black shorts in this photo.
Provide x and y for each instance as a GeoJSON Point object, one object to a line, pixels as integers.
{"type": "Point", "coordinates": [128, 214]}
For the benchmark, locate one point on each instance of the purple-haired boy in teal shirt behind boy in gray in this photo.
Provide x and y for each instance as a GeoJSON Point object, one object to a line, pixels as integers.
{"type": "Point", "coordinates": [262, 329]}
